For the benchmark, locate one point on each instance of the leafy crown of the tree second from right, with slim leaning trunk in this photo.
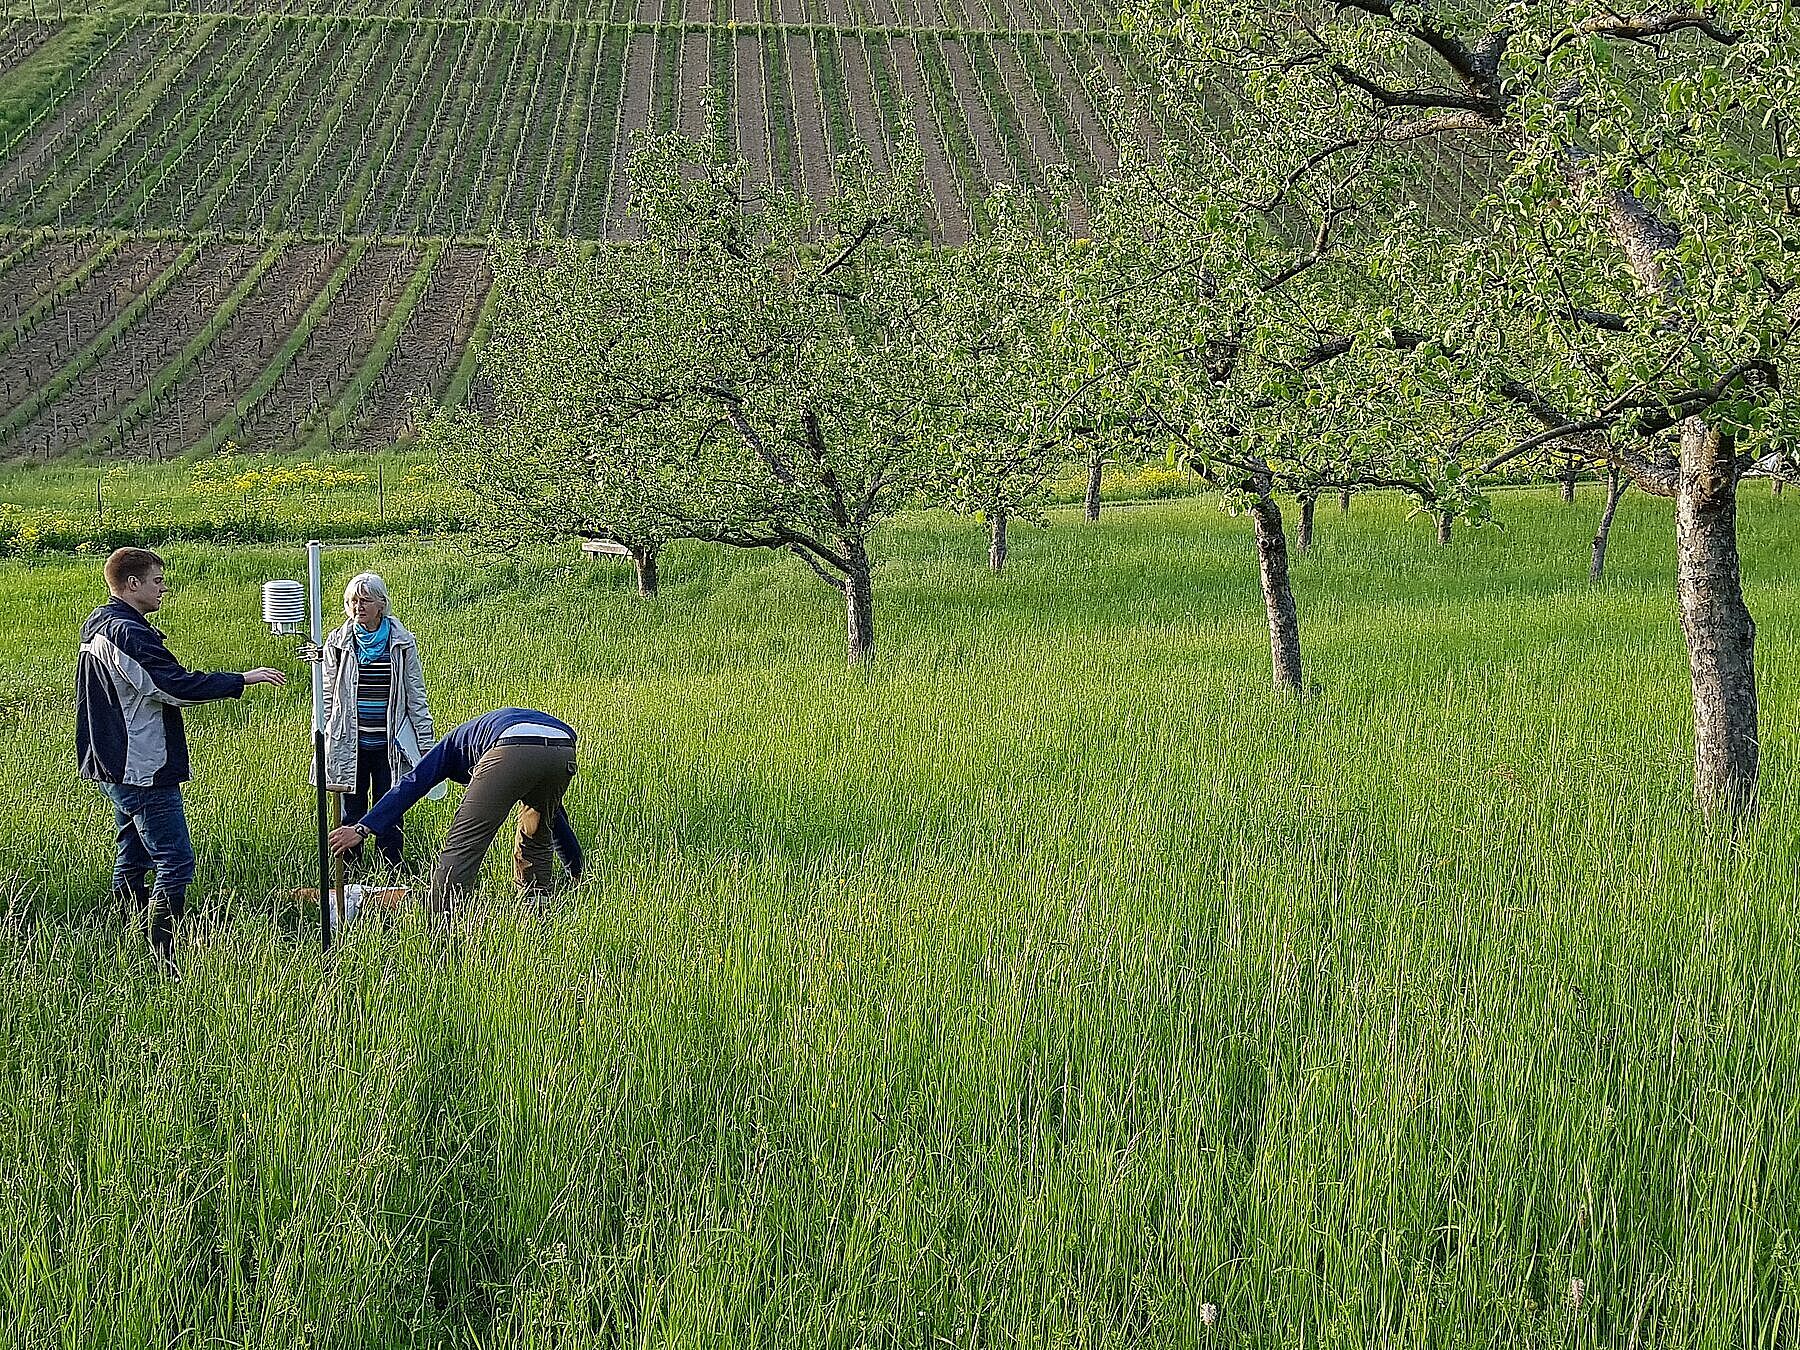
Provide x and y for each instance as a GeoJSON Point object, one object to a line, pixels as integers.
{"type": "Point", "coordinates": [1261, 361]}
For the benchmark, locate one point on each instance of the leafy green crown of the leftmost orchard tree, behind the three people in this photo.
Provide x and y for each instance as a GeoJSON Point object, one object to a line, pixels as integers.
{"type": "Point", "coordinates": [753, 379]}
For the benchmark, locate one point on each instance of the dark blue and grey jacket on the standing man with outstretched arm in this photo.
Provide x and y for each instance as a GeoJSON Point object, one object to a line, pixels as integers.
{"type": "Point", "coordinates": [129, 701]}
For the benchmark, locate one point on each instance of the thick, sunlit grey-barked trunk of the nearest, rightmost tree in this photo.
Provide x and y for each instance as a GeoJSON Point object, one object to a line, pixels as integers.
{"type": "Point", "coordinates": [1716, 622]}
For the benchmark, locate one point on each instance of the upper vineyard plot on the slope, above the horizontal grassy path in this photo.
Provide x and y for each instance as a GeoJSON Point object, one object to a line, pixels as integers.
{"type": "Point", "coordinates": [399, 129]}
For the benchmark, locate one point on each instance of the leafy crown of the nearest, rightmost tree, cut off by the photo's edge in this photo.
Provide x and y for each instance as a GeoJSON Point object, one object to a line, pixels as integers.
{"type": "Point", "coordinates": [1581, 213]}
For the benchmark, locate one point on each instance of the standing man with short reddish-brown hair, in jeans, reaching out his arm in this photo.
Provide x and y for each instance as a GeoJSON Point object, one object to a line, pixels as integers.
{"type": "Point", "coordinates": [130, 739]}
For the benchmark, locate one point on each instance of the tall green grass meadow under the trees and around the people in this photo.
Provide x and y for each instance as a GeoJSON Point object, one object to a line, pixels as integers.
{"type": "Point", "coordinates": [1041, 987]}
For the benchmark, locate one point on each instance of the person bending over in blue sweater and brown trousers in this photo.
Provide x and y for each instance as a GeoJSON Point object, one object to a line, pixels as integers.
{"type": "Point", "coordinates": [512, 757]}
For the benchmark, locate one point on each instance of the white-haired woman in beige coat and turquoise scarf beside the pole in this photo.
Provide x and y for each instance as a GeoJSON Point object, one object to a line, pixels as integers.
{"type": "Point", "coordinates": [379, 724]}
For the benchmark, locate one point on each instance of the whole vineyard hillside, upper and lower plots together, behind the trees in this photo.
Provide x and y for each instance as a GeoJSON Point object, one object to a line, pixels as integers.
{"type": "Point", "coordinates": [267, 231]}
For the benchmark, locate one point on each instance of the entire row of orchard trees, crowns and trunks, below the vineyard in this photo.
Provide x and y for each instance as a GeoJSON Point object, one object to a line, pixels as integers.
{"type": "Point", "coordinates": [1410, 246]}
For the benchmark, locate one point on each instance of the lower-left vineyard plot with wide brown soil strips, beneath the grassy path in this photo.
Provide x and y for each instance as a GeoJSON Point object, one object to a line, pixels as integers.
{"type": "Point", "coordinates": [156, 346]}
